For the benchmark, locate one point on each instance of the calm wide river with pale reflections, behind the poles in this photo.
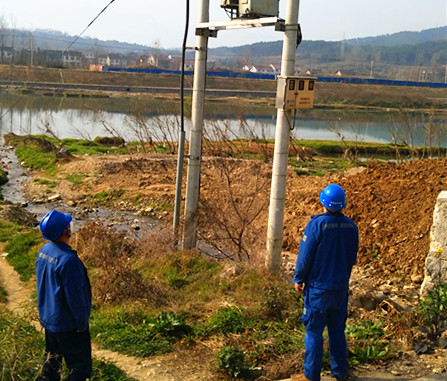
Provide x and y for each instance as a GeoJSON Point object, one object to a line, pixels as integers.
{"type": "Point", "coordinates": [88, 118]}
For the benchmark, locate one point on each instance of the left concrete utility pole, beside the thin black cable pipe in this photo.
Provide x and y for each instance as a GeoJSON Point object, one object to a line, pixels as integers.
{"type": "Point", "coordinates": [195, 139]}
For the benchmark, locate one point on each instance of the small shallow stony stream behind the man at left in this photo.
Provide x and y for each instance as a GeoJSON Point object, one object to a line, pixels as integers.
{"type": "Point", "coordinates": [120, 220]}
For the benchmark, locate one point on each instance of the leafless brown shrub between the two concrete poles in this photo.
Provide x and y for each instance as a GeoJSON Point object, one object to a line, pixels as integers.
{"type": "Point", "coordinates": [239, 197]}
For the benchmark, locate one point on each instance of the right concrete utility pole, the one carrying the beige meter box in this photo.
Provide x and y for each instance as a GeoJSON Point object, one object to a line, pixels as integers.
{"type": "Point", "coordinates": [281, 154]}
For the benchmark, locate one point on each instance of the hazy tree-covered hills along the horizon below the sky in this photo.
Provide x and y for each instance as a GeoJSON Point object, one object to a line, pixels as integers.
{"type": "Point", "coordinates": [428, 47]}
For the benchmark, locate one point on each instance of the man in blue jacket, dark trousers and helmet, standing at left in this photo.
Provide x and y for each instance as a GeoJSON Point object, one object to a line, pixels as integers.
{"type": "Point", "coordinates": [64, 301]}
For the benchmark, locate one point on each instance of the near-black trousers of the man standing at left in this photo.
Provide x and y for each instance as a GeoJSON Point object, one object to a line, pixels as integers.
{"type": "Point", "coordinates": [75, 348]}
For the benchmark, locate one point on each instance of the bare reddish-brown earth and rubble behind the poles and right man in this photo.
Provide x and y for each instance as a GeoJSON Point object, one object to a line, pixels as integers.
{"type": "Point", "coordinates": [392, 205]}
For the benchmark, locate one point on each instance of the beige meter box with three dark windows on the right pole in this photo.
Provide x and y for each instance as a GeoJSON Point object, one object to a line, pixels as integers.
{"type": "Point", "coordinates": [295, 92]}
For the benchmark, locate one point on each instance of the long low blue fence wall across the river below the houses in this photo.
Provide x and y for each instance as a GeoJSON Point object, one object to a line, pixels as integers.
{"type": "Point", "coordinates": [227, 74]}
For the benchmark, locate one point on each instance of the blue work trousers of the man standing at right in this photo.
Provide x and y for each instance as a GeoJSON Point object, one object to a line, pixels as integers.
{"type": "Point", "coordinates": [325, 308]}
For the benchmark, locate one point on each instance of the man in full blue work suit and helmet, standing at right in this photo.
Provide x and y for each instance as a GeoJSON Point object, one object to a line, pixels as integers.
{"type": "Point", "coordinates": [327, 253]}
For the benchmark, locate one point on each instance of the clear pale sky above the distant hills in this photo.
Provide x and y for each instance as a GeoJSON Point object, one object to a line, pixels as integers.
{"type": "Point", "coordinates": [161, 23]}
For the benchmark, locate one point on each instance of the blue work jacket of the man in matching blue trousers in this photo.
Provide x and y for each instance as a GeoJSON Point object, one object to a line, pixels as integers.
{"type": "Point", "coordinates": [328, 251]}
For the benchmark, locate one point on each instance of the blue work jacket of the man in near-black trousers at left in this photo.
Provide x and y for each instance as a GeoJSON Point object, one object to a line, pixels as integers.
{"type": "Point", "coordinates": [64, 295]}
